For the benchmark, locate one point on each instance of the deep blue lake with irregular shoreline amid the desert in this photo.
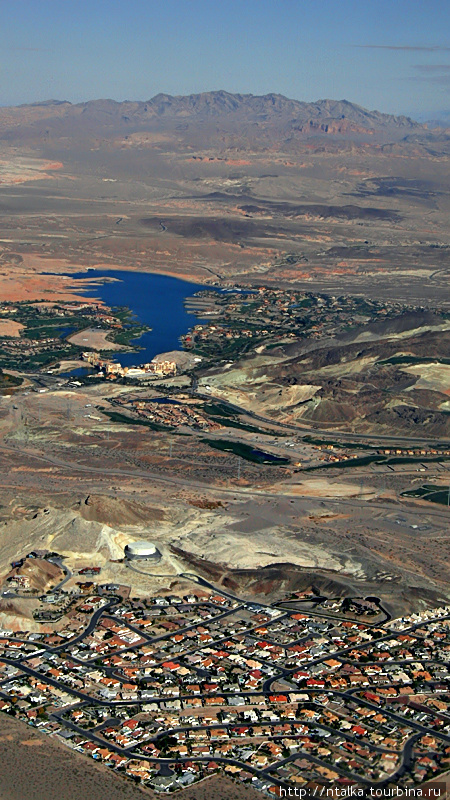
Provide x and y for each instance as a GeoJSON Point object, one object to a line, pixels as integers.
{"type": "Point", "coordinates": [156, 300]}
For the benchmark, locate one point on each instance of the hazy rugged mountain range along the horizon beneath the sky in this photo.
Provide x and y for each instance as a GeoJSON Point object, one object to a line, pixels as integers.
{"type": "Point", "coordinates": [258, 119]}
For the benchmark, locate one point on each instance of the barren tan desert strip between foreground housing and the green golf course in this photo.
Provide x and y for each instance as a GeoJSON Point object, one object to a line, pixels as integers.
{"type": "Point", "coordinates": [76, 481]}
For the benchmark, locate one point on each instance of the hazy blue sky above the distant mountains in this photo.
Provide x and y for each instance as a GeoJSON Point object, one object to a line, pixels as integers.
{"type": "Point", "coordinates": [393, 55]}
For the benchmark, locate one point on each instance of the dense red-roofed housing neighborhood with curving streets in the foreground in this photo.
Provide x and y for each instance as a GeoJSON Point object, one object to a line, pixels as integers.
{"type": "Point", "coordinates": [168, 689]}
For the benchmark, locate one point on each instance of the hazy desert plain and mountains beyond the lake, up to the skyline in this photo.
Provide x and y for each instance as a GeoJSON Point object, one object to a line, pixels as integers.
{"type": "Point", "coordinates": [219, 187]}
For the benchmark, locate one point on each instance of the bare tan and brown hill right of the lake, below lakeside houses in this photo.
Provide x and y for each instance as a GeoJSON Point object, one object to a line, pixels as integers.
{"type": "Point", "coordinates": [387, 377]}
